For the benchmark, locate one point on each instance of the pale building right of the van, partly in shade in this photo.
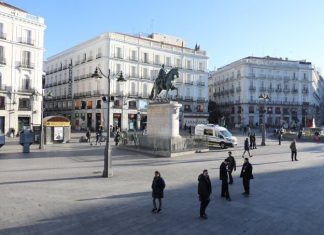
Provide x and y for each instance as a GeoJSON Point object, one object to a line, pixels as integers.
{"type": "Point", "coordinates": [292, 87]}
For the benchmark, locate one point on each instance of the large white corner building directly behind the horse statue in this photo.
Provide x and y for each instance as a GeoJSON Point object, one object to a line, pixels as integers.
{"type": "Point", "coordinates": [140, 59]}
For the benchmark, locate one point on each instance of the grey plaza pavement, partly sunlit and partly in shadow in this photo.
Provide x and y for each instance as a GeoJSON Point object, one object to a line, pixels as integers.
{"type": "Point", "coordinates": [61, 191]}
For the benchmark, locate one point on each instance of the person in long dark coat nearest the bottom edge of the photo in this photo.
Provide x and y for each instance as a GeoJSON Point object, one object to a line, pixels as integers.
{"type": "Point", "coordinates": [204, 191]}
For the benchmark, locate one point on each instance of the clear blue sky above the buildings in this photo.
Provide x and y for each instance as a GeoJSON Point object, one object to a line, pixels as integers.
{"type": "Point", "coordinates": [227, 29]}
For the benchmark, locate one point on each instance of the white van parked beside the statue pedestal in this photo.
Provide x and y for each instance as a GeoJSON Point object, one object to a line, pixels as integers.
{"type": "Point", "coordinates": [217, 135]}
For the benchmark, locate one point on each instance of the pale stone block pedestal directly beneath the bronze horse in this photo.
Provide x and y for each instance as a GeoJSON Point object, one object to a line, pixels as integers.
{"type": "Point", "coordinates": [163, 120]}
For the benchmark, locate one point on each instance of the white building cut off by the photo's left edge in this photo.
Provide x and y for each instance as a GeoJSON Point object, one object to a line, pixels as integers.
{"type": "Point", "coordinates": [21, 68]}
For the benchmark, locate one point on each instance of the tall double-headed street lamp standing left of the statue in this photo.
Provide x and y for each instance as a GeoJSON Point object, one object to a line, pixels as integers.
{"type": "Point", "coordinates": [108, 171]}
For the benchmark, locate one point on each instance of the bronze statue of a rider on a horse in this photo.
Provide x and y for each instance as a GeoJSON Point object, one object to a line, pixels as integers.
{"type": "Point", "coordinates": [167, 85]}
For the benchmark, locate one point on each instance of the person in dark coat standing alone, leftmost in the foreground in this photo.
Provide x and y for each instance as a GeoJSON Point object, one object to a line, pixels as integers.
{"type": "Point", "coordinates": [158, 186]}
